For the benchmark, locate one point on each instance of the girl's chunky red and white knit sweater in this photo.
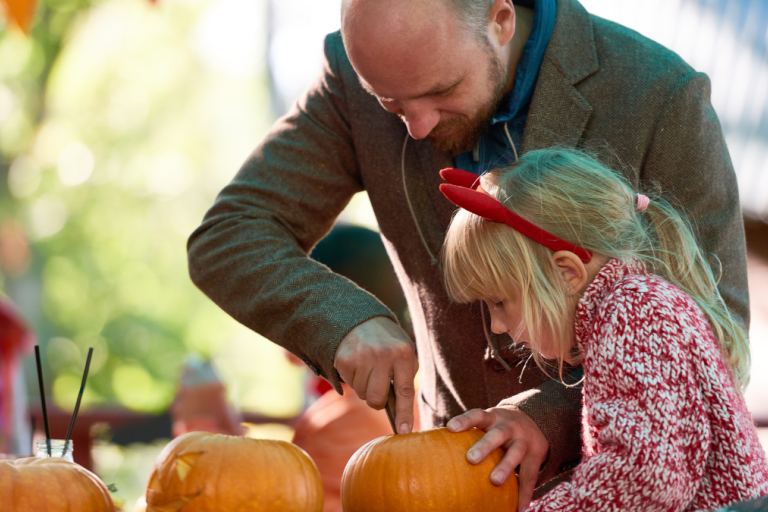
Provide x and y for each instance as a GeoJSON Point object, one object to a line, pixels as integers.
{"type": "Point", "coordinates": [664, 426]}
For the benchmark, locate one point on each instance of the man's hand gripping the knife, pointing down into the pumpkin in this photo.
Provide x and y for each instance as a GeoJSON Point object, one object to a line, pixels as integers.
{"type": "Point", "coordinates": [373, 354]}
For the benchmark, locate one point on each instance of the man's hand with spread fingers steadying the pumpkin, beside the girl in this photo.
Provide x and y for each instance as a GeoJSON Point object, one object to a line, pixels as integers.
{"type": "Point", "coordinates": [514, 430]}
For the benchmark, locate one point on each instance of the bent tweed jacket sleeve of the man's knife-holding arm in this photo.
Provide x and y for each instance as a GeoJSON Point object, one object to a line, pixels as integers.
{"type": "Point", "coordinates": [250, 253]}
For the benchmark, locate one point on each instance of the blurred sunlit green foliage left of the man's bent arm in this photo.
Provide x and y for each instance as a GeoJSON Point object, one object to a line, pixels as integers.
{"type": "Point", "coordinates": [118, 125]}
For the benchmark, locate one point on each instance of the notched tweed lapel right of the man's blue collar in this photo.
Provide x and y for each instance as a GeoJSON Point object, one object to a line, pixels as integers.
{"type": "Point", "coordinates": [559, 114]}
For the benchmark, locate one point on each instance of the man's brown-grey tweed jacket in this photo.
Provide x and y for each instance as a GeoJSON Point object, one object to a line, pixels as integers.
{"type": "Point", "coordinates": [601, 86]}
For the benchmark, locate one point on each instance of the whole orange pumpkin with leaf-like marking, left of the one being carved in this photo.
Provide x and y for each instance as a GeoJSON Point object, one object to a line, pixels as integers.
{"type": "Point", "coordinates": [201, 472]}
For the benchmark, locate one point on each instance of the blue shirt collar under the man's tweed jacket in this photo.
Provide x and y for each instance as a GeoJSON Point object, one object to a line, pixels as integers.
{"type": "Point", "coordinates": [494, 149]}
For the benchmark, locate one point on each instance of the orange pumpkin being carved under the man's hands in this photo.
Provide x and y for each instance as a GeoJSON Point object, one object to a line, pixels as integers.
{"type": "Point", "coordinates": [425, 472]}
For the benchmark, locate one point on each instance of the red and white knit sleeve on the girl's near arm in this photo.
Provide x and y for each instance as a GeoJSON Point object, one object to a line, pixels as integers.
{"type": "Point", "coordinates": [646, 431]}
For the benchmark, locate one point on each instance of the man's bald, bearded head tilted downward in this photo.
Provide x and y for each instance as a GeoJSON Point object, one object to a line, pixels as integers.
{"type": "Point", "coordinates": [440, 65]}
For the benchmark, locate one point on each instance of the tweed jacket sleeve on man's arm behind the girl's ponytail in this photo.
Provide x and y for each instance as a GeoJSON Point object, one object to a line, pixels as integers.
{"type": "Point", "coordinates": [689, 161]}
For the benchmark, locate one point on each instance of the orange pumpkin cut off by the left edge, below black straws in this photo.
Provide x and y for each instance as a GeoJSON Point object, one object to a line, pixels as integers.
{"type": "Point", "coordinates": [51, 485]}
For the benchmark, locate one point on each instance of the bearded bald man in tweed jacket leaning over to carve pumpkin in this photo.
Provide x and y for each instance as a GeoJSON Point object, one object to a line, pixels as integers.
{"type": "Point", "coordinates": [462, 83]}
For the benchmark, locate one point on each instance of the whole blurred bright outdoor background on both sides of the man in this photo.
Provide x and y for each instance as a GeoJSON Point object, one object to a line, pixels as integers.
{"type": "Point", "coordinates": [120, 120]}
